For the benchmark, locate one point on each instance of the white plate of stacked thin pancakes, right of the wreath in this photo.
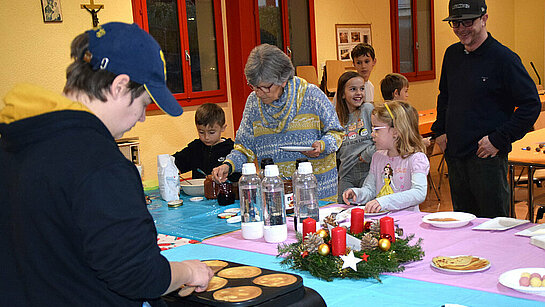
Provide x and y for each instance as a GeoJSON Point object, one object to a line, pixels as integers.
{"type": "Point", "coordinates": [460, 264]}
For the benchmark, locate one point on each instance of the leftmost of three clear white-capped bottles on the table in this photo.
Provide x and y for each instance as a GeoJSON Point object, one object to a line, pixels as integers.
{"type": "Point", "coordinates": [251, 210]}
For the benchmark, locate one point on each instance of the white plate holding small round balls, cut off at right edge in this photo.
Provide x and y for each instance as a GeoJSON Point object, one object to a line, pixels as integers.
{"type": "Point", "coordinates": [527, 280]}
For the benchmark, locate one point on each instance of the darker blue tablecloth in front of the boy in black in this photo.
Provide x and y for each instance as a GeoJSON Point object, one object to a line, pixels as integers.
{"type": "Point", "coordinates": [192, 220]}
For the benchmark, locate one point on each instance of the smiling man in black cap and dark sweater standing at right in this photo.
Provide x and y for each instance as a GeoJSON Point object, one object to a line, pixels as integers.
{"type": "Point", "coordinates": [482, 82]}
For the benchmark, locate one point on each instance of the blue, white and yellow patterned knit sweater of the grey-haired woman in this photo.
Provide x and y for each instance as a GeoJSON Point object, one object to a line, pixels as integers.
{"type": "Point", "coordinates": [301, 116]}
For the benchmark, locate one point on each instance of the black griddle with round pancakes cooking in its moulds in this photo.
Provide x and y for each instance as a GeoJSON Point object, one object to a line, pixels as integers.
{"type": "Point", "coordinates": [235, 284]}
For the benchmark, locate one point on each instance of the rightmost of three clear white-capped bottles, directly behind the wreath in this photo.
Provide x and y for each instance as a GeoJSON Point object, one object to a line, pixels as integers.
{"type": "Point", "coordinates": [306, 202]}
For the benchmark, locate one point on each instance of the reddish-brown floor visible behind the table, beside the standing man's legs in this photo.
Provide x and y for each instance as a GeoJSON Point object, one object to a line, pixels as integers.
{"type": "Point", "coordinates": [445, 204]}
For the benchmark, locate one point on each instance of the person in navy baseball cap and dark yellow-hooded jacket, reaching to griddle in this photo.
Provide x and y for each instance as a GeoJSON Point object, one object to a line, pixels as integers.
{"type": "Point", "coordinates": [75, 227]}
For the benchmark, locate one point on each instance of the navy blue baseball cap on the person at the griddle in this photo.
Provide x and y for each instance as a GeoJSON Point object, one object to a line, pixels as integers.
{"type": "Point", "coordinates": [122, 48]}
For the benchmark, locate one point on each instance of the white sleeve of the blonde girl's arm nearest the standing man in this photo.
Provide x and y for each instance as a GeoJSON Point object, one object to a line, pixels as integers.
{"type": "Point", "coordinates": [411, 197]}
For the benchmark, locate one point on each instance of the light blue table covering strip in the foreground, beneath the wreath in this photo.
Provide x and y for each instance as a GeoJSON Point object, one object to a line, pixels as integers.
{"type": "Point", "coordinates": [393, 291]}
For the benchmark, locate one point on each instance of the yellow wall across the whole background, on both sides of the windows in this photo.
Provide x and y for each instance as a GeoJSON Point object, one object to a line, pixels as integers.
{"type": "Point", "coordinates": [39, 53]}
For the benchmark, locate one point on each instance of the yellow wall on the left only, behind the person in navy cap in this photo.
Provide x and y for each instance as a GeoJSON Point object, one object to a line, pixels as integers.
{"type": "Point", "coordinates": [37, 52]}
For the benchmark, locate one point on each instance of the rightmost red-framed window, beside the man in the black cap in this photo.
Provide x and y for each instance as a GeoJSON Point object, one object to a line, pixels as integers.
{"type": "Point", "coordinates": [413, 45]}
